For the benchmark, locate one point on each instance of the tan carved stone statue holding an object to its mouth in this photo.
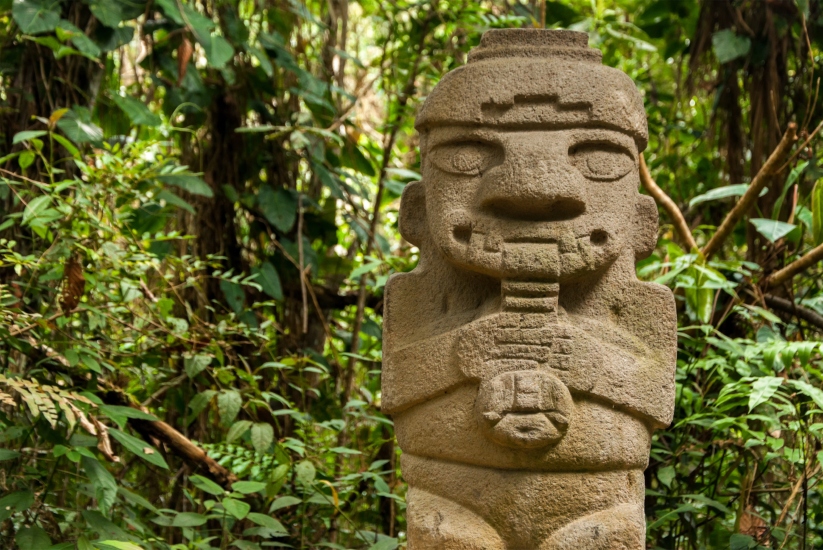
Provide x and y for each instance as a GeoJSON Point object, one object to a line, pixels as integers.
{"type": "Point", "coordinates": [525, 365]}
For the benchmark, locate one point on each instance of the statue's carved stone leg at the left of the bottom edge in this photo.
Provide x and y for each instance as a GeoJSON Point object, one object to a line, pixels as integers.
{"type": "Point", "coordinates": [437, 523]}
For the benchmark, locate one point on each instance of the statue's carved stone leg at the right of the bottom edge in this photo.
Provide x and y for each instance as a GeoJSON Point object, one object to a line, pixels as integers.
{"type": "Point", "coordinates": [620, 528]}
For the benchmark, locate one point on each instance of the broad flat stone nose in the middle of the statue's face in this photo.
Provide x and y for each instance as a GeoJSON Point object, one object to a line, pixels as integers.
{"type": "Point", "coordinates": [534, 189]}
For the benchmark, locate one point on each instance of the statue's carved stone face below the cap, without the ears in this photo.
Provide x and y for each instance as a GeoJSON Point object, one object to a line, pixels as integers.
{"type": "Point", "coordinates": [531, 204]}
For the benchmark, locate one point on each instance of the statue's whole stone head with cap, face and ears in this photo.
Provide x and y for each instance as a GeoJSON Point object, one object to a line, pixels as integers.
{"type": "Point", "coordinates": [530, 162]}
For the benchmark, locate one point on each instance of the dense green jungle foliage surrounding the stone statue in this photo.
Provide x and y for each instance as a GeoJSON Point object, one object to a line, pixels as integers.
{"type": "Point", "coordinates": [198, 215]}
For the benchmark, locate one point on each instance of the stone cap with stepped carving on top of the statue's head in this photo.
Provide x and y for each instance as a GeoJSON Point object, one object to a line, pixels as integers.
{"type": "Point", "coordinates": [556, 91]}
